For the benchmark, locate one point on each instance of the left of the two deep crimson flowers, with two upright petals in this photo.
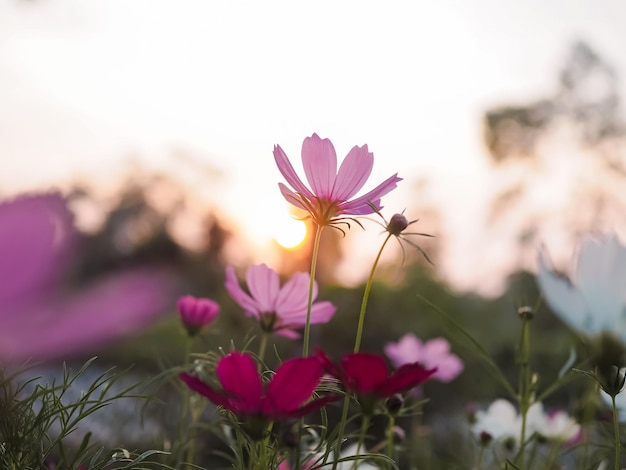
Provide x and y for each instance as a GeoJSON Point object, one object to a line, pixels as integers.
{"type": "Point", "coordinates": [243, 392]}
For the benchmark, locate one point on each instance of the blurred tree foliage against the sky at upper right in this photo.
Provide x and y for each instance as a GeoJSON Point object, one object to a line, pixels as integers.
{"type": "Point", "coordinates": [587, 98]}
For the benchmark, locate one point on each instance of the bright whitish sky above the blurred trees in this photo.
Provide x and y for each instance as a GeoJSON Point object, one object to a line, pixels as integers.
{"type": "Point", "coordinates": [86, 83]}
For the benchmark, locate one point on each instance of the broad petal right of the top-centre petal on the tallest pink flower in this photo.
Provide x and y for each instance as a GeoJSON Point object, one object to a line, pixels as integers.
{"type": "Point", "coordinates": [353, 173]}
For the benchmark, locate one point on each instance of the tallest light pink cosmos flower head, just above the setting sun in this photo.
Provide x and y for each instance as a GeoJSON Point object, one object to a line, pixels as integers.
{"type": "Point", "coordinates": [328, 200]}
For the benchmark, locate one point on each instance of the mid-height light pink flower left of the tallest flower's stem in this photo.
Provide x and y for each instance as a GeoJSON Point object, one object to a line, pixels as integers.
{"type": "Point", "coordinates": [278, 309]}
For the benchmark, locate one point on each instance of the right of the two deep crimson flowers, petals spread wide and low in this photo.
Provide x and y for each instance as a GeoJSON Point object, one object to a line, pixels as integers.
{"type": "Point", "coordinates": [367, 376]}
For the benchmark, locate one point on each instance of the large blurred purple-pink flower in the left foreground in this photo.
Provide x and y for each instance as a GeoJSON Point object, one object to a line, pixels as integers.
{"type": "Point", "coordinates": [43, 319]}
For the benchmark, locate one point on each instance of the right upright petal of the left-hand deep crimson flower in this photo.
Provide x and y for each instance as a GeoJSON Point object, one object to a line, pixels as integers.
{"type": "Point", "coordinates": [293, 384]}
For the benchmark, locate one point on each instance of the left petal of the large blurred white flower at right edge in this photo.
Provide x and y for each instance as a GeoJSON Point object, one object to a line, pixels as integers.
{"type": "Point", "coordinates": [564, 298]}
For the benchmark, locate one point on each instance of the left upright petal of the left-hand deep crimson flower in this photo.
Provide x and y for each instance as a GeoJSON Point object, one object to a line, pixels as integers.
{"type": "Point", "coordinates": [239, 377]}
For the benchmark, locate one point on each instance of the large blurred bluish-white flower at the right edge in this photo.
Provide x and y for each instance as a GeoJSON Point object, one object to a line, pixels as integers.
{"type": "Point", "coordinates": [594, 300]}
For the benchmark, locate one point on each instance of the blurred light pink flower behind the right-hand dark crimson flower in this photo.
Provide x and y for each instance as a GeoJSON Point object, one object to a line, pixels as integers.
{"type": "Point", "coordinates": [432, 353]}
